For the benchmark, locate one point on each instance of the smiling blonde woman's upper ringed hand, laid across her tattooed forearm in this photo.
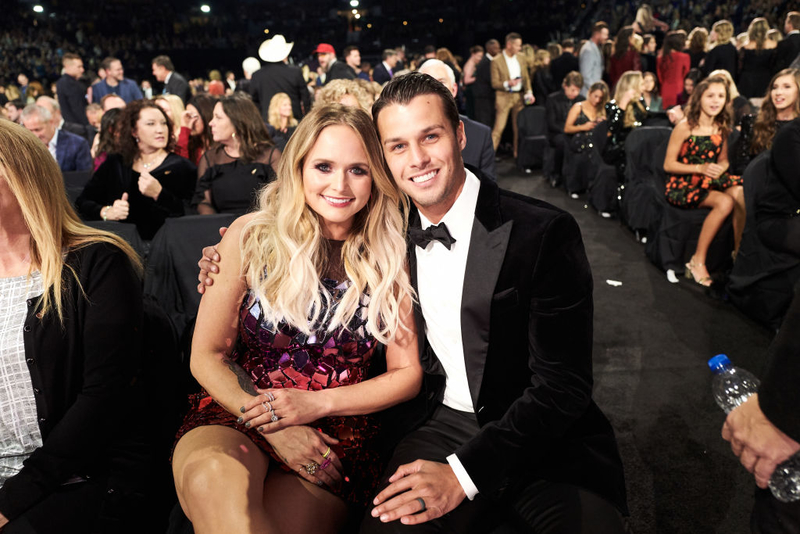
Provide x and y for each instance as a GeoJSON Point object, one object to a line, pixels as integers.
{"type": "Point", "coordinates": [276, 409]}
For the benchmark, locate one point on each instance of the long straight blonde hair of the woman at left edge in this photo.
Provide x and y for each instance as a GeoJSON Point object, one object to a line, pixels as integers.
{"type": "Point", "coordinates": [37, 185]}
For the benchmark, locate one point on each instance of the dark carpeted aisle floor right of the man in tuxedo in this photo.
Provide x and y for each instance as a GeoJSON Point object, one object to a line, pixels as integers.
{"type": "Point", "coordinates": [652, 340]}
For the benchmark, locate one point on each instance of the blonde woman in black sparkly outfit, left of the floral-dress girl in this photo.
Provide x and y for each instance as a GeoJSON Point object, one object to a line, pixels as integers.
{"type": "Point", "coordinates": [624, 112]}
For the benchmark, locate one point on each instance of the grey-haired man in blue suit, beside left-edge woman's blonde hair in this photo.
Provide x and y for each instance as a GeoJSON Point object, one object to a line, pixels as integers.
{"type": "Point", "coordinates": [69, 150]}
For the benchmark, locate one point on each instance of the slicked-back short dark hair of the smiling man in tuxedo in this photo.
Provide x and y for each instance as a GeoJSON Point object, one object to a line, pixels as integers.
{"type": "Point", "coordinates": [402, 89]}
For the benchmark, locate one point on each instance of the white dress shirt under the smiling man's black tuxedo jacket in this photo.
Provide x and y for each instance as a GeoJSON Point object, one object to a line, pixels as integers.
{"type": "Point", "coordinates": [440, 281]}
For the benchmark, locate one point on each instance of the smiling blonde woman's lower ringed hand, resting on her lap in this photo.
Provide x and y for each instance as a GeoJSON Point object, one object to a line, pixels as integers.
{"type": "Point", "coordinates": [301, 446]}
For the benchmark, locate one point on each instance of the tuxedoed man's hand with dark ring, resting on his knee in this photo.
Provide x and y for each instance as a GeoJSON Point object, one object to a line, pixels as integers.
{"type": "Point", "coordinates": [434, 482]}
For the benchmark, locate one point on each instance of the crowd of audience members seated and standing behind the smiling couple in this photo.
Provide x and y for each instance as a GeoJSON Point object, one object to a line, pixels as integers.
{"type": "Point", "coordinates": [164, 144]}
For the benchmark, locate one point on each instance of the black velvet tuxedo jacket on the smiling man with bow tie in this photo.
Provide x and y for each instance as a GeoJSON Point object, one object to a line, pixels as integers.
{"type": "Point", "coordinates": [526, 323]}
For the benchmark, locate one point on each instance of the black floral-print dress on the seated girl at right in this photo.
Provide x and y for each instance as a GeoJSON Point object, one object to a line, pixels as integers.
{"type": "Point", "coordinates": [690, 190]}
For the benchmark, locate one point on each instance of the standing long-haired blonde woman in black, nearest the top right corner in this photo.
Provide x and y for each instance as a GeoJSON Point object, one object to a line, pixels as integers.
{"type": "Point", "coordinates": [755, 60]}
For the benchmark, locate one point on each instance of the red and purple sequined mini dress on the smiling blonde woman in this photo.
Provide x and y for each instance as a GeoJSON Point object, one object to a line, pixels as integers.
{"type": "Point", "coordinates": [280, 356]}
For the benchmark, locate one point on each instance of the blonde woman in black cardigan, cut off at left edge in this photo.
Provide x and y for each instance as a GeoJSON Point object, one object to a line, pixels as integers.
{"type": "Point", "coordinates": [71, 333]}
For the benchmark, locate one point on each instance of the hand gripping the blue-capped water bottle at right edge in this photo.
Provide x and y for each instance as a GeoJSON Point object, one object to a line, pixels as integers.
{"type": "Point", "coordinates": [759, 444]}
